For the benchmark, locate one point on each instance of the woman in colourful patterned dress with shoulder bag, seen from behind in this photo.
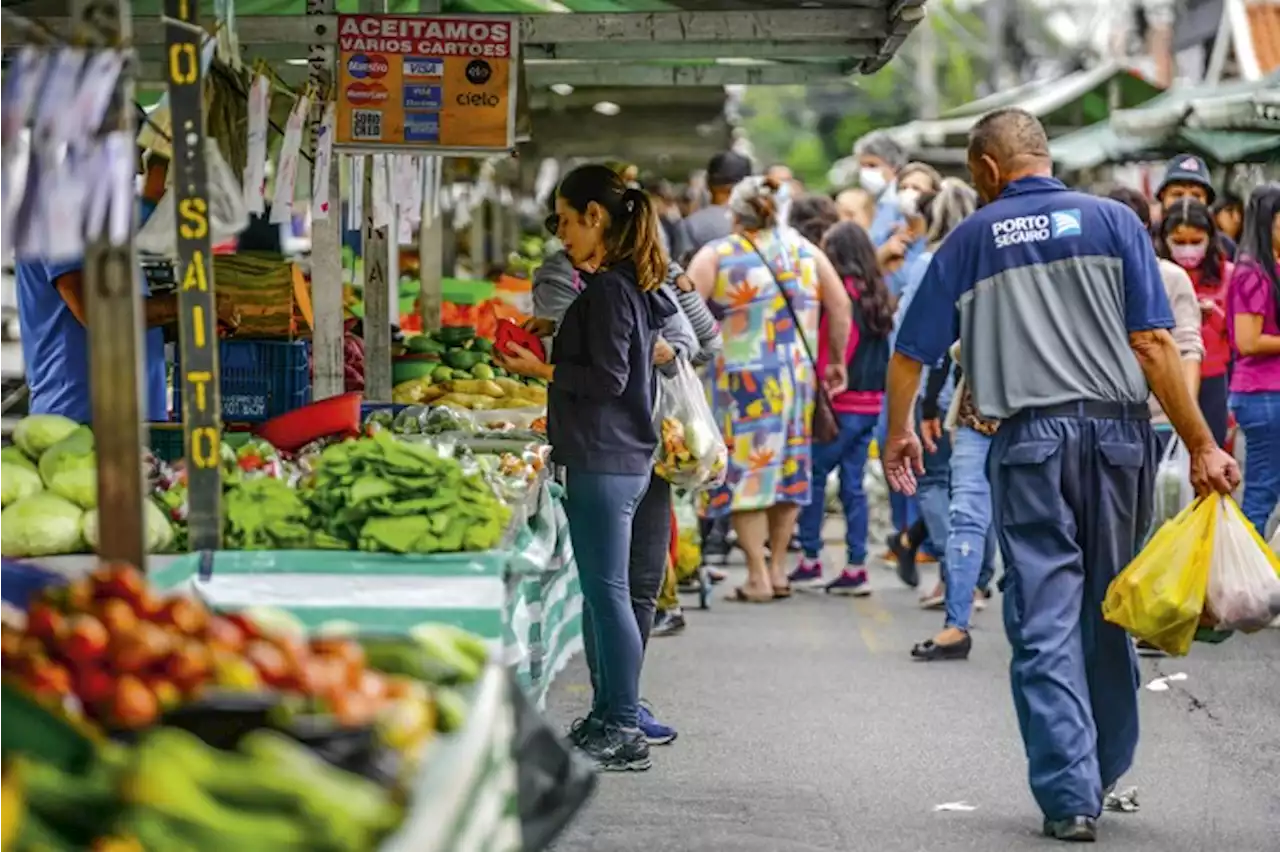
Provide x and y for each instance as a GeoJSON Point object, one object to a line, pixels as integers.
{"type": "Point", "coordinates": [765, 278]}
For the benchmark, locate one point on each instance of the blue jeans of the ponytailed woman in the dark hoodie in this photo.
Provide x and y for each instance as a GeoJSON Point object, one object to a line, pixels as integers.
{"type": "Point", "coordinates": [601, 509]}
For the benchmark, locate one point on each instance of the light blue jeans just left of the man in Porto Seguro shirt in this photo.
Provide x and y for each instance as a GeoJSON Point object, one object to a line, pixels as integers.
{"type": "Point", "coordinates": [971, 540]}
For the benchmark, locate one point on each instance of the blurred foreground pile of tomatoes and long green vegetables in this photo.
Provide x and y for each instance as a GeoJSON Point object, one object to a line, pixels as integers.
{"type": "Point", "coordinates": [227, 731]}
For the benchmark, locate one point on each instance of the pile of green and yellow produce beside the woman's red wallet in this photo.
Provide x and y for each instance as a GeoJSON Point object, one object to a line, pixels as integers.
{"type": "Point", "coordinates": [455, 368]}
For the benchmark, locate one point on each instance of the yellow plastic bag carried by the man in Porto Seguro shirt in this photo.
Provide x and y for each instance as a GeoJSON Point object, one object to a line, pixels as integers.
{"type": "Point", "coordinates": [1160, 596]}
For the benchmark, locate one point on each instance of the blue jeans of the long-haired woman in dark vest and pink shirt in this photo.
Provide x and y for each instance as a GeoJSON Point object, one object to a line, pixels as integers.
{"type": "Point", "coordinates": [849, 455]}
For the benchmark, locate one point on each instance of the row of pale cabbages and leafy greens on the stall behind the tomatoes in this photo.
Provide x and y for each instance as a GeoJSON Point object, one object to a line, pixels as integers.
{"type": "Point", "coordinates": [376, 493]}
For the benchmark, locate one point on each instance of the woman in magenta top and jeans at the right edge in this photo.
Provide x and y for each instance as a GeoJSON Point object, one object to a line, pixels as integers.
{"type": "Point", "coordinates": [1252, 323]}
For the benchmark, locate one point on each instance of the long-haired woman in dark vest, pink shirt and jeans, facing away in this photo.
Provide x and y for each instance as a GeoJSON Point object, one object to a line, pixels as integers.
{"type": "Point", "coordinates": [852, 253]}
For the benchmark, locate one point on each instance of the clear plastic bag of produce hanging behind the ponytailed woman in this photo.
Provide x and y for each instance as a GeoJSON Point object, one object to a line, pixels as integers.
{"type": "Point", "coordinates": [692, 454]}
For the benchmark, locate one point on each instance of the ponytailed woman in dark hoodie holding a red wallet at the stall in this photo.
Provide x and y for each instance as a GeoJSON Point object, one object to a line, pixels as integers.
{"type": "Point", "coordinates": [601, 427]}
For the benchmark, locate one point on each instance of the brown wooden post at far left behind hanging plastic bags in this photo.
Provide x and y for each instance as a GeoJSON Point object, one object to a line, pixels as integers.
{"type": "Point", "coordinates": [116, 331]}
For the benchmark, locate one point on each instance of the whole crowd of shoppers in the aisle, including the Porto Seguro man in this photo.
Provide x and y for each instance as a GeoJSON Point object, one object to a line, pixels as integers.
{"type": "Point", "coordinates": [792, 305]}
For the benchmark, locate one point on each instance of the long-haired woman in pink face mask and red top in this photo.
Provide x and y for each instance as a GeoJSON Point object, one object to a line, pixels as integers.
{"type": "Point", "coordinates": [1188, 237]}
